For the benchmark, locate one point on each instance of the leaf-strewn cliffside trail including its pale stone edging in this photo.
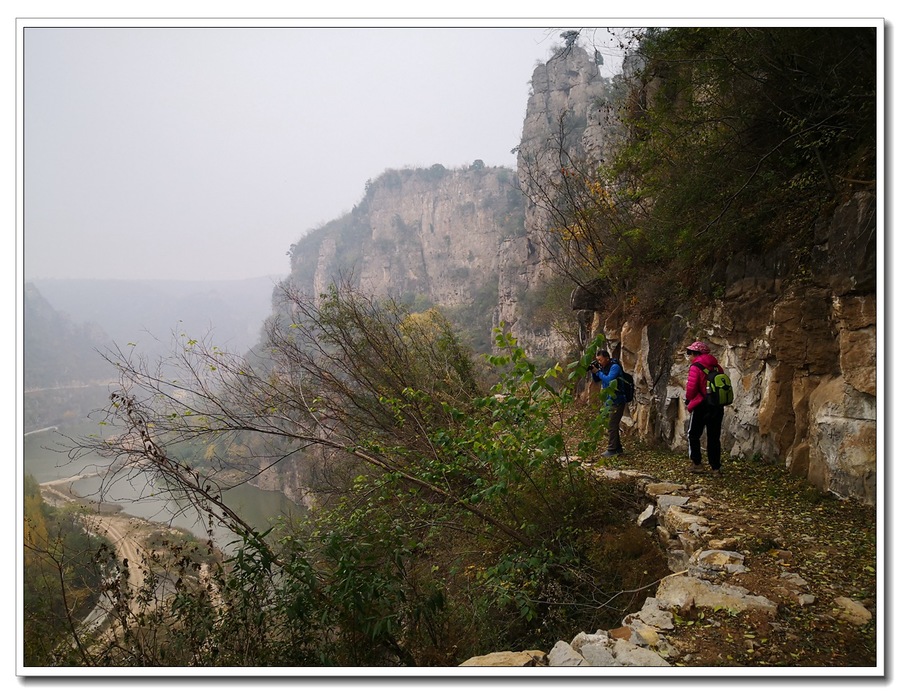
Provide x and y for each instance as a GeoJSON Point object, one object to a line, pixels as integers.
{"type": "Point", "coordinates": [767, 572]}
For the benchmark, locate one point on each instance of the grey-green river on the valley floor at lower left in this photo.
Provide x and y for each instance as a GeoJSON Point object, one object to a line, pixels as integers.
{"type": "Point", "coordinates": [44, 458]}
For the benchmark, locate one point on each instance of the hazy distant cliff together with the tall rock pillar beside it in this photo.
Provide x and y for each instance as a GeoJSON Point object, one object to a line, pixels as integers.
{"type": "Point", "coordinates": [469, 240]}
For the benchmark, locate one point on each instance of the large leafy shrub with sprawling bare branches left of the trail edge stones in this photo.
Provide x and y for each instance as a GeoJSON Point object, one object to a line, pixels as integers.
{"type": "Point", "coordinates": [466, 524]}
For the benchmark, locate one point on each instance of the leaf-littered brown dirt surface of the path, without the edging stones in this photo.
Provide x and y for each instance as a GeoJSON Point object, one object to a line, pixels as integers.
{"type": "Point", "coordinates": [786, 531]}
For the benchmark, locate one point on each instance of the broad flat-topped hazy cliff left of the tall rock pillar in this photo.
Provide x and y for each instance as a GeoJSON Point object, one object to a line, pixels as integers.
{"type": "Point", "coordinates": [431, 236]}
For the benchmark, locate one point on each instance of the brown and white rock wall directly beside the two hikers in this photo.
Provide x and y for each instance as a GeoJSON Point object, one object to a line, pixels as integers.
{"type": "Point", "coordinates": [801, 356]}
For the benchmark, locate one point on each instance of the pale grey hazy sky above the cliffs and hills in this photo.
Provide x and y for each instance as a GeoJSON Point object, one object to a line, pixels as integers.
{"type": "Point", "coordinates": [180, 153]}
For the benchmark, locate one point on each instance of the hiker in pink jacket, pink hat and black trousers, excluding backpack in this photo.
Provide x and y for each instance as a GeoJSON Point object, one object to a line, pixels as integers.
{"type": "Point", "coordinates": [703, 414]}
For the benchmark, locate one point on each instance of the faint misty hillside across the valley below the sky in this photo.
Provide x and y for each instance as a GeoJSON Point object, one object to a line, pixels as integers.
{"type": "Point", "coordinates": [69, 323]}
